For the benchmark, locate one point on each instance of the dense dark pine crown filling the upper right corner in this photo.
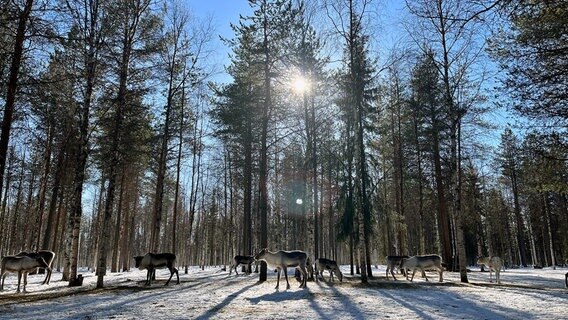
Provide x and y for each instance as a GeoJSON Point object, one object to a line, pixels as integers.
{"type": "Point", "coordinates": [533, 53]}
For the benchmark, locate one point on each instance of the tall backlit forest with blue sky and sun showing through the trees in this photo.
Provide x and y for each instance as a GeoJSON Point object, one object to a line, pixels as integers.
{"type": "Point", "coordinates": [117, 139]}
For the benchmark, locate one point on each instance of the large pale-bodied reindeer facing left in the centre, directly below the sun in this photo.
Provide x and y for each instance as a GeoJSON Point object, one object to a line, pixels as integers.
{"type": "Point", "coordinates": [281, 260]}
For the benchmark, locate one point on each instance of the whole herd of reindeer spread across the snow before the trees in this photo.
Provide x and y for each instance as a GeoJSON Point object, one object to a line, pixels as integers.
{"type": "Point", "coordinates": [26, 262]}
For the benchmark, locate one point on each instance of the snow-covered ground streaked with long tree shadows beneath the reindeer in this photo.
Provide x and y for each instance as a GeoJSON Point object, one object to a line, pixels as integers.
{"type": "Point", "coordinates": [213, 294]}
